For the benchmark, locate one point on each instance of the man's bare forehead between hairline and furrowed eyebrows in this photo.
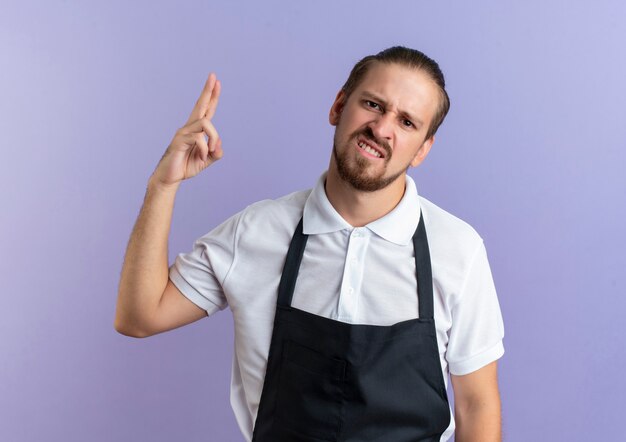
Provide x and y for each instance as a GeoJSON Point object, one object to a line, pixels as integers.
{"type": "Point", "coordinates": [404, 89]}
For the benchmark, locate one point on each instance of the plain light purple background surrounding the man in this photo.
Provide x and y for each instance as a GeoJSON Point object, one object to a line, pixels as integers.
{"type": "Point", "coordinates": [532, 155]}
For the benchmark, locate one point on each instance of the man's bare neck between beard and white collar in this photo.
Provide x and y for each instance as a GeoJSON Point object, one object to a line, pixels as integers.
{"type": "Point", "coordinates": [357, 207]}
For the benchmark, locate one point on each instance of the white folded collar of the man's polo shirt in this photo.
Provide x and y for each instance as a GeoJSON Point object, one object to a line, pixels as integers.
{"type": "Point", "coordinates": [398, 226]}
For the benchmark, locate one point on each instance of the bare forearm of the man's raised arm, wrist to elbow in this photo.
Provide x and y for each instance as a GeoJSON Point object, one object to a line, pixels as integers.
{"type": "Point", "coordinates": [145, 270]}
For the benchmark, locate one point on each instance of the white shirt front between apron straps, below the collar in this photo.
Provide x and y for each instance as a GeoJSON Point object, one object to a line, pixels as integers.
{"type": "Point", "coordinates": [357, 277]}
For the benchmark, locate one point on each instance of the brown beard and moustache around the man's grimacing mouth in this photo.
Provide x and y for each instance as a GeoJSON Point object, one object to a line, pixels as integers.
{"type": "Point", "coordinates": [356, 173]}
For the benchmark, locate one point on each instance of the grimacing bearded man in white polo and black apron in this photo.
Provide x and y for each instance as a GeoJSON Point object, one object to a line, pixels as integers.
{"type": "Point", "coordinates": [337, 339]}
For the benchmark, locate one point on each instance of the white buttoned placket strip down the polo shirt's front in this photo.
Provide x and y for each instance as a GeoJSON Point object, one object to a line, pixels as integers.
{"type": "Point", "coordinates": [348, 304]}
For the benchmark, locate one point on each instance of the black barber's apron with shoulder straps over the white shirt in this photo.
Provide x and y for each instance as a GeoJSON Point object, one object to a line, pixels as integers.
{"type": "Point", "coordinates": [327, 380]}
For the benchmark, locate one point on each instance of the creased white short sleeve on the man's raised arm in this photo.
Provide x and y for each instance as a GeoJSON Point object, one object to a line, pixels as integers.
{"type": "Point", "coordinates": [200, 274]}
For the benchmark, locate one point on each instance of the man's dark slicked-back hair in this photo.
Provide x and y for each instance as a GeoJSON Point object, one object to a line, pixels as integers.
{"type": "Point", "coordinates": [411, 58]}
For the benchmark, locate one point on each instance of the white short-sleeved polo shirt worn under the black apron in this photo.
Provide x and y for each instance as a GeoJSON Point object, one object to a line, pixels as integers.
{"type": "Point", "coordinates": [360, 275]}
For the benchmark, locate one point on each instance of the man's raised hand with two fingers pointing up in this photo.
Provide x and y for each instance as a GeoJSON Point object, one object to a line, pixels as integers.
{"type": "Point", "coordinates": [196, 145]}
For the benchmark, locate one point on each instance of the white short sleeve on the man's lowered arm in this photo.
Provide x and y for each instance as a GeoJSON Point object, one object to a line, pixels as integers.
{"type": "Point", "coordinates": [477, 328]}
